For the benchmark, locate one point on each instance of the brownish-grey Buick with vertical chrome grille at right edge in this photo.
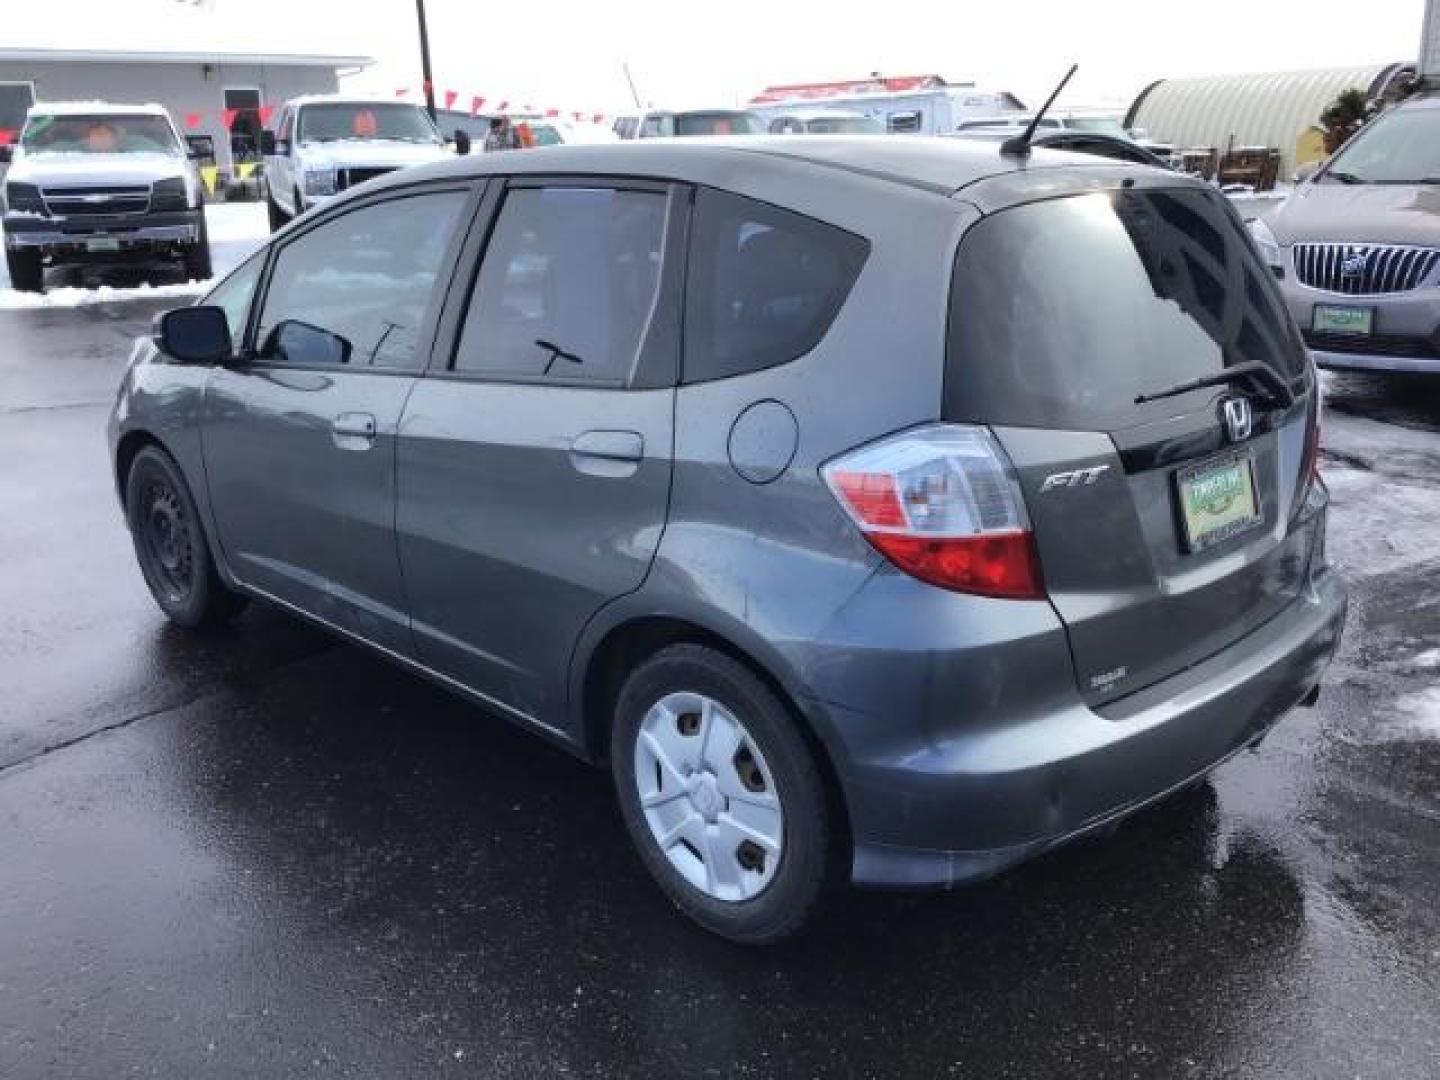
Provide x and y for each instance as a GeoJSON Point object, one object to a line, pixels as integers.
{"type": "Point", "coordinates": [1359, 247]}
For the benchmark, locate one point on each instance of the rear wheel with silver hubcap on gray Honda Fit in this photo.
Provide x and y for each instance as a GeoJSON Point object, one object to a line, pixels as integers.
{"type": "Point", "coordinates": [755, 855]}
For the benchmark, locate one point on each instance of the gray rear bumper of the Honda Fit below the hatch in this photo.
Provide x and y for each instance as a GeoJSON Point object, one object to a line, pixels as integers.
{"type": "Point", "coordinates": [971, 806]}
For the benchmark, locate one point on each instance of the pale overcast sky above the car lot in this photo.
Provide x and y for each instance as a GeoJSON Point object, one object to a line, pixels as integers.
{"type": "Point", "coordinates": [568, 54]}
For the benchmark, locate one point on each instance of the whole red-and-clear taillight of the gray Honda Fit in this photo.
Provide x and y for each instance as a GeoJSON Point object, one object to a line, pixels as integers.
{"type": "Point", "coordinates": [942, 505]}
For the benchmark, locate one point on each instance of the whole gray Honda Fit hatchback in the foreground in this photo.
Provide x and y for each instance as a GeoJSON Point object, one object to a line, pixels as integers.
{"type": "Point", "coordinates": [885, 510]}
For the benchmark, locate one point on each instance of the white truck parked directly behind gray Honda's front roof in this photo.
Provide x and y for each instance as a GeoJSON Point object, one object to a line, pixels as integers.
{"type": "Point", "coordinates": [326, 145]}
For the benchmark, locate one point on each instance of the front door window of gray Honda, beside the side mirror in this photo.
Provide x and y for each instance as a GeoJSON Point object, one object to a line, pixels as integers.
{"type": "Point", "coordinates": [364, 282]}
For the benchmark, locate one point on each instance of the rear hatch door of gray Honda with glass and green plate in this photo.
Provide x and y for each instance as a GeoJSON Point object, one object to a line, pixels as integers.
{"type": "Point", "coordinates": [1164, 528]}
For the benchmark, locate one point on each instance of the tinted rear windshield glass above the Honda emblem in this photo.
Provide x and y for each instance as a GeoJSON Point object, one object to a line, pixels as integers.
{"type": "Point", "coordinates": [1063, 312]}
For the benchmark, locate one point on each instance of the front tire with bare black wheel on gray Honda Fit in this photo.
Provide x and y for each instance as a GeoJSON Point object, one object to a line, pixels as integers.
{"type": "Point", "coordinates": [171, 545]}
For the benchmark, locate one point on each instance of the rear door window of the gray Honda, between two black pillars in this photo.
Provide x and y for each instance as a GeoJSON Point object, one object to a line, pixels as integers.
{"type": "Point", "coordinates": [570, 286]}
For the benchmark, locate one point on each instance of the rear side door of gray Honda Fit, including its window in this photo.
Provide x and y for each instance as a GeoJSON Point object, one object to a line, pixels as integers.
{"type": "Point", "coordinates": [535, 460]}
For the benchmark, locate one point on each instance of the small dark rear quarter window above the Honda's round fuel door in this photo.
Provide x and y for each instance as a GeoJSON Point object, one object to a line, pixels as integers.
{"type": "Point", "coordinates": [764, 286]}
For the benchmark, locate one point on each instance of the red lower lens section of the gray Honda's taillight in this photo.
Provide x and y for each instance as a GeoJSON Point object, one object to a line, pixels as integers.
{"type": "Point", "coordinates": [1000, 565]}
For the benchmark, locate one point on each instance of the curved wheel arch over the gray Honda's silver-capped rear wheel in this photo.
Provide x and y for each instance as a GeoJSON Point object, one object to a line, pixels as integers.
{"type": "Point", "coordinates": [631, 644]}
